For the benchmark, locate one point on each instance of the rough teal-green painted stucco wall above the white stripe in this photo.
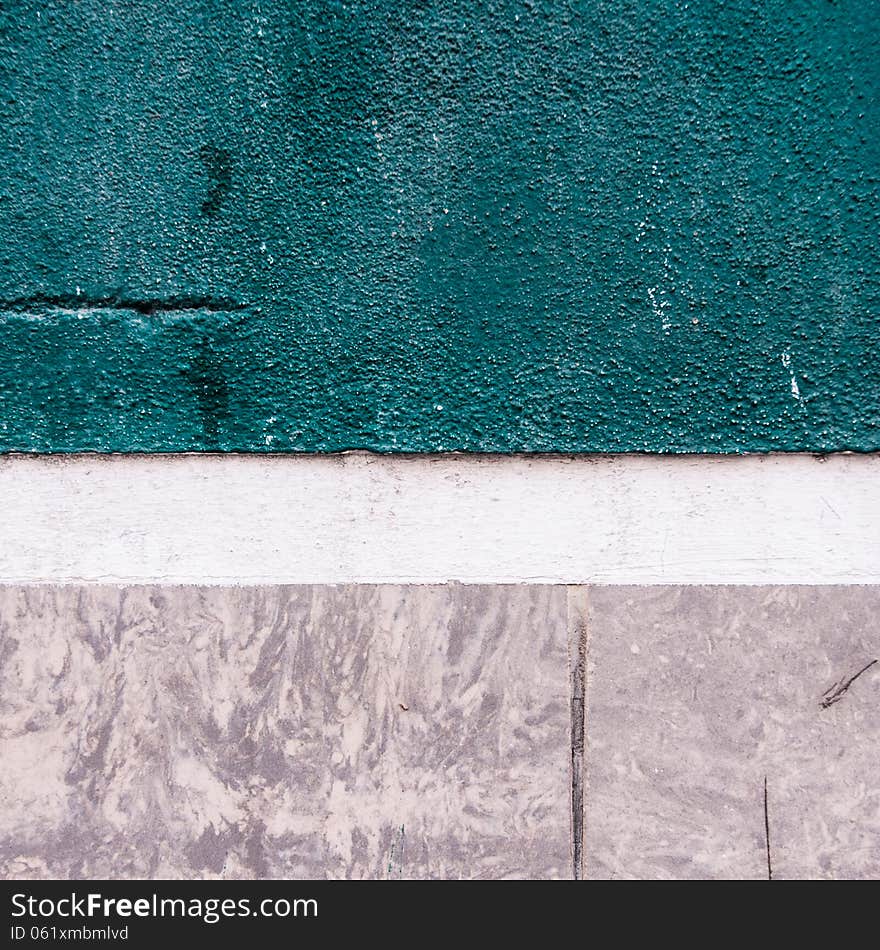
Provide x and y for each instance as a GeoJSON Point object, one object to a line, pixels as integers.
{"type": "Point", "coordinates": [530, 226]}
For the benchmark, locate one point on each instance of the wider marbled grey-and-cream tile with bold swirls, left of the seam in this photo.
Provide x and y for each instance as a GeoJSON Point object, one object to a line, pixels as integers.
{"type": "Point", "coordinates": [284, 732]}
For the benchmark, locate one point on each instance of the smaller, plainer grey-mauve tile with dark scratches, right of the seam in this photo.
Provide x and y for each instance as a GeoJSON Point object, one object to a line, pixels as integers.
{"type": "Point", "coordinates": [694, 695]}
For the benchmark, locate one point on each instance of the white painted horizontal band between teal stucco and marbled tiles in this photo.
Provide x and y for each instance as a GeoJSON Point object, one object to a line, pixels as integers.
{"type": "Point", "coordinates": [356, 517]}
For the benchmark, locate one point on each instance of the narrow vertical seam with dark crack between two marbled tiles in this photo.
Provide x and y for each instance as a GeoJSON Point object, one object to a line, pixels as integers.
{"type": "Point", "coordinates": [578, 633]}
